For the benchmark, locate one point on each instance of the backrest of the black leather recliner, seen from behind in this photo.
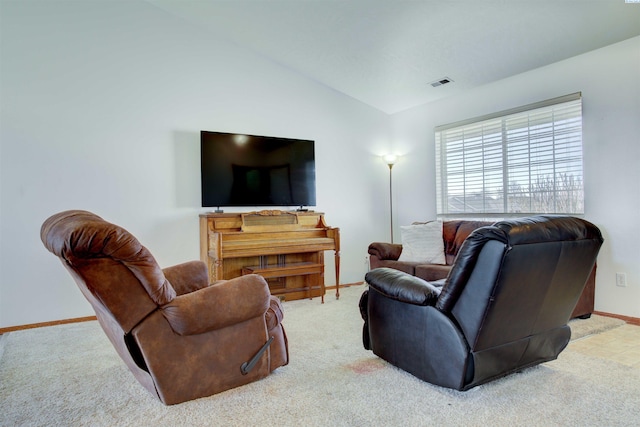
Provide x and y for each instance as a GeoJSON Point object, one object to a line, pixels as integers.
{"type": "Point", "coordinates": [518, 278]}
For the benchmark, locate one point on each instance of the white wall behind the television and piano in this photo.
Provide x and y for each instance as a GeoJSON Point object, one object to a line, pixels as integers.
{"type": "Point", "coordinates": [102, 104]}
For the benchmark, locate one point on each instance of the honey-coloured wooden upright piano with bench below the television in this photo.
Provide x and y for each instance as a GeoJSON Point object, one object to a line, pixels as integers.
{"type": "Point", "coordinates": [286, 248]}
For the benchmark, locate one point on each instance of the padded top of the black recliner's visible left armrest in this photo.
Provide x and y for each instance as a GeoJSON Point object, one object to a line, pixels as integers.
{"type": "Point", "coordinates": [402, 287]}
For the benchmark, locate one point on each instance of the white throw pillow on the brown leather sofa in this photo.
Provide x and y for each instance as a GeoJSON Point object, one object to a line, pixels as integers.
{"type": "Point", "coordinates": [422, 243]}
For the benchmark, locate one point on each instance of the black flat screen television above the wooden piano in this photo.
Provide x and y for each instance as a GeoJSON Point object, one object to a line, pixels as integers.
{"type": "Point", "coordinates": [249, 170]}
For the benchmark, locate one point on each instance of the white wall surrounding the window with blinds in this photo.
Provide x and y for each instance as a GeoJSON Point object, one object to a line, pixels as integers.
{"type": "Point", "coordinates": [609, 81]}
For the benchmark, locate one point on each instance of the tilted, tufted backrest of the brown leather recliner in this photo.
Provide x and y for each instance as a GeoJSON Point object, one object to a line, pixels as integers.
{"type": "Point", "coordinates": [117, 275]}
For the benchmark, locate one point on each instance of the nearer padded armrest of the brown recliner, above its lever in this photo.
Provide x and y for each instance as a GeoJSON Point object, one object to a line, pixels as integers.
{"type": "Point", "coordinates": [222, 304]}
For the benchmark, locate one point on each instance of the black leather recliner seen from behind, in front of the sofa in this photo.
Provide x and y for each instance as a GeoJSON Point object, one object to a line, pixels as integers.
{"type": "Point", "coordinates": [503, 307]}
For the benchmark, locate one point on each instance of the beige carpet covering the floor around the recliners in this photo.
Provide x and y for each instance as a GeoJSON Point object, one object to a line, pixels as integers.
{"type": "Point", "coordinates": [70, 375]}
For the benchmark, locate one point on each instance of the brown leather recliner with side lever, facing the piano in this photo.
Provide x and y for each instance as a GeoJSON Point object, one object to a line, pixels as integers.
{"type": "Point", "coordinates": [181, 337]}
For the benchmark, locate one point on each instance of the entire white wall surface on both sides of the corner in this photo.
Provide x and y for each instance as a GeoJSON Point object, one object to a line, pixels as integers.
{"type": "Point", "coordinates": [102, 104]}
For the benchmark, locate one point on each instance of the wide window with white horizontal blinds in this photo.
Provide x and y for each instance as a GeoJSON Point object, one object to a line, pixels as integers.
{"type": "Point", "coordinates": [522, 161]}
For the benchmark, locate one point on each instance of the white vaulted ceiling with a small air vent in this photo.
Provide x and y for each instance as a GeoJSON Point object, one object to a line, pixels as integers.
{"type": "Point", "coordinates": [386, 53]}
